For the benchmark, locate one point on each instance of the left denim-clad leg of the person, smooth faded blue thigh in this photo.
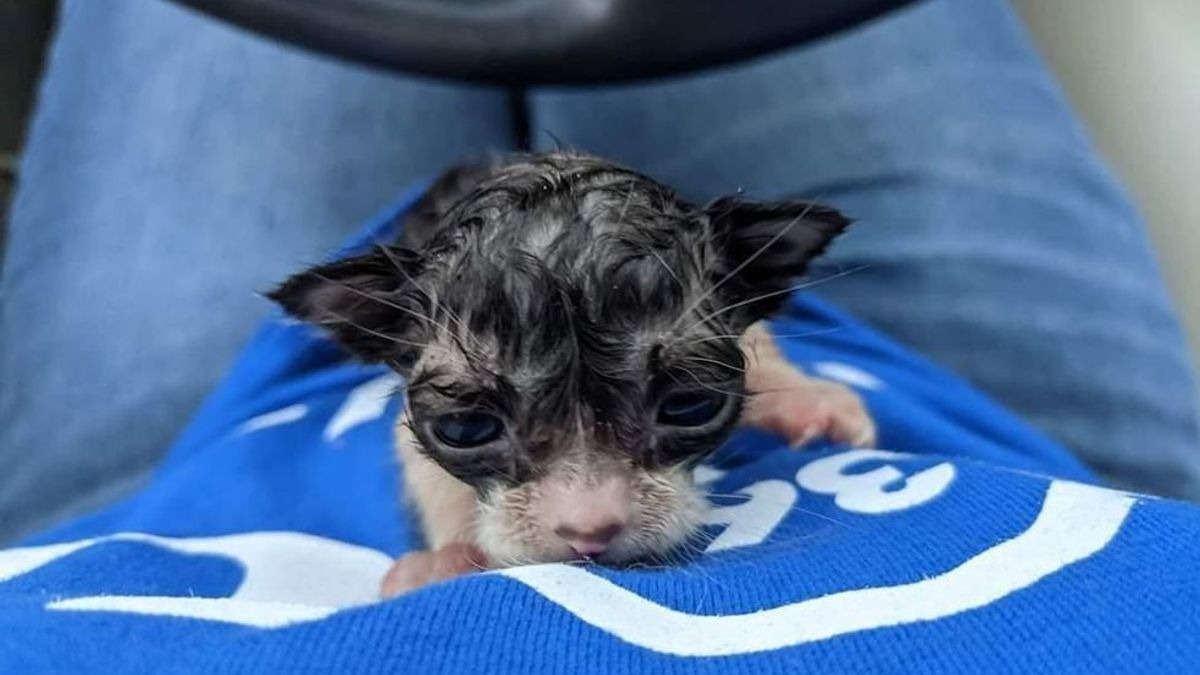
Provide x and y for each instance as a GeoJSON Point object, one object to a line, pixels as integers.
{"type": "Point", "coordinates": [175, 169]}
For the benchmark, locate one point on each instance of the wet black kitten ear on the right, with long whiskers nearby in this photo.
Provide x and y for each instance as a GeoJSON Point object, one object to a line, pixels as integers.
{"type": "Point", "coordinates": [767, 246]}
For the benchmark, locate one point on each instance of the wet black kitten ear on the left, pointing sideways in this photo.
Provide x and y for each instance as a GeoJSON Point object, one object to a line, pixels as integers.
{"type": "Point", "coordinates": [365, 303]}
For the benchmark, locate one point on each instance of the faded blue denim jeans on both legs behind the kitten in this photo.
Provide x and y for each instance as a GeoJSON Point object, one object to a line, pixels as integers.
{"type": "Point", "coordinates": [177, 166]}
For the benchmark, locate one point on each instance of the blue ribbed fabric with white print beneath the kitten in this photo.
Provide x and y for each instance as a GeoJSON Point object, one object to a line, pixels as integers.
{"type": "Point", "coordinates": [969, 545]}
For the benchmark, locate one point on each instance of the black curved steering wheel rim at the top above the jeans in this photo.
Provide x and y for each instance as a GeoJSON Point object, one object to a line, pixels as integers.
{"type": "Point", "coordinates": [545, 41]}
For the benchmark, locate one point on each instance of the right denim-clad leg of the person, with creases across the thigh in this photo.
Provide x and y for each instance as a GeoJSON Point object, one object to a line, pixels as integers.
{"type": "Point", "coordinates": [993, 238]}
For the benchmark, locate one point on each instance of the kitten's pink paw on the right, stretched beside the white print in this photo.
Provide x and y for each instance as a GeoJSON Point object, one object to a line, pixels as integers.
{"type": "Point", "coordinates": [802, 409]}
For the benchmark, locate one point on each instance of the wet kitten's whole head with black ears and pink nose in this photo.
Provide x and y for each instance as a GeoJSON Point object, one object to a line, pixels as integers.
{"type": "Point", "coordinates": [569, 337]}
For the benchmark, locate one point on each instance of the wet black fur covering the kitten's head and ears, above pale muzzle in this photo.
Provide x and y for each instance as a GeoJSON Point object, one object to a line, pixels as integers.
{"type": "Point", "coordinates": [573, 295]}
